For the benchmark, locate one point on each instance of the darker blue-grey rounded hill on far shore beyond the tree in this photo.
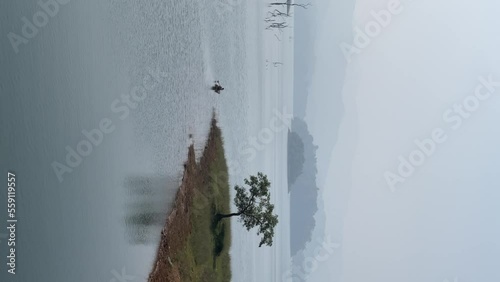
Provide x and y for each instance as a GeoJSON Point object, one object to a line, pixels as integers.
{"type": "Point", "coordinates": [303, 190]}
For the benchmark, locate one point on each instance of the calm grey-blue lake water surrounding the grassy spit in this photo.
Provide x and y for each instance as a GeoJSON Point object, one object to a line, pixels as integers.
{"type": "Point", "coordinates": [142, 71]}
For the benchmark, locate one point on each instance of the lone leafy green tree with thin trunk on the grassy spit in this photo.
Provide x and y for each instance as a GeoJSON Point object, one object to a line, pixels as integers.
{"type": "Point", "coordinates": [254, 208]}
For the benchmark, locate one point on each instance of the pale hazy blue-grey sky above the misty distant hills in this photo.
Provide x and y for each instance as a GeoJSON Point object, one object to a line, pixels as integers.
{"type": "Point", "coordinates": [442, 222]}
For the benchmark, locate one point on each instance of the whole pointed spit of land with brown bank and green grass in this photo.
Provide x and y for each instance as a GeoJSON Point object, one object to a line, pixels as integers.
{"type": "Point", "coordinates": [193, 246]}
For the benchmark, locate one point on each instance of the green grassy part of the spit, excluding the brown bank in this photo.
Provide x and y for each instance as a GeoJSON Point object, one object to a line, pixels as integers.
{"type": "Point", "coordinates": [206, 254]}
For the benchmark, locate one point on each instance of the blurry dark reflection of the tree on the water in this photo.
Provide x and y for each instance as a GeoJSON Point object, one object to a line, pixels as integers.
{"type": "Point", "coordinates": [147, 204]}
